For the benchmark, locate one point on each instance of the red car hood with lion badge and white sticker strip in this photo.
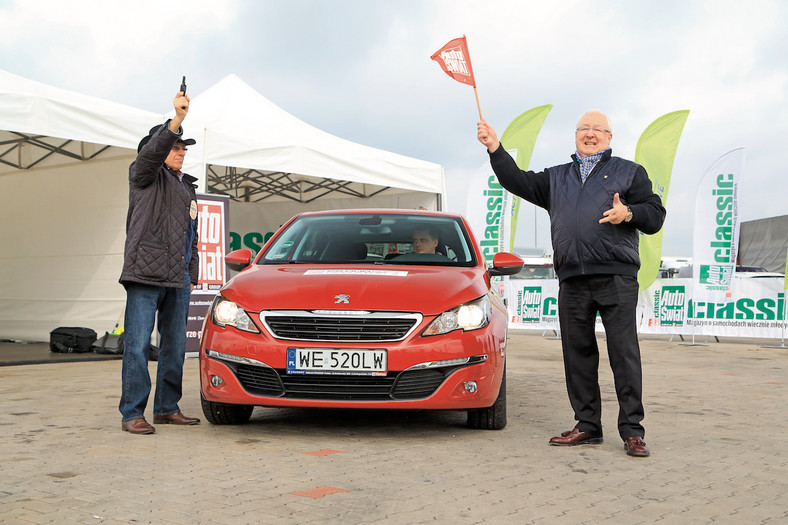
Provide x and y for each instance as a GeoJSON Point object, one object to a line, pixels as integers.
{"type": "Point", "coordinates": [429, 290]}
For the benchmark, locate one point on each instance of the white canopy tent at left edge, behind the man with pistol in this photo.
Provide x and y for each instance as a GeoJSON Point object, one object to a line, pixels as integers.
{"type": "Point", "coordinates": [63, 156]}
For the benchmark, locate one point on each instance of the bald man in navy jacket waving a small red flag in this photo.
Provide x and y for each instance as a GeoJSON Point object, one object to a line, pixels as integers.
{"type": "Point", "coordinates": [597, 204]}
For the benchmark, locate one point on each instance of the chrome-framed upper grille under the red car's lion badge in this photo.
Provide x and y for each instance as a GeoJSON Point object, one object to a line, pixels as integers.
{"type": "Point", "coordinates": [371, 326]}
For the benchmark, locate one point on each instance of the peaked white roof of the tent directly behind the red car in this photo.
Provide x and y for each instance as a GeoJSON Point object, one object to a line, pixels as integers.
{"type": "Point", "coordinates": [236, 126]}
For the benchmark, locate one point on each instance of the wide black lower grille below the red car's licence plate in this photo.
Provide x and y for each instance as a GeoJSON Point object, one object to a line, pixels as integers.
{"type": "Point", "coordinates": [409, 384]}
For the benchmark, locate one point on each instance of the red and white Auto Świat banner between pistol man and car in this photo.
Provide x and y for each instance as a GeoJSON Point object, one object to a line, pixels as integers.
{"type": "Point", "coordinates": [212, 245]}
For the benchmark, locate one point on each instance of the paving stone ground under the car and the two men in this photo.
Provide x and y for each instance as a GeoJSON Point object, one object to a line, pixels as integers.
{"type": "Point", "coordinates": [714, 420]}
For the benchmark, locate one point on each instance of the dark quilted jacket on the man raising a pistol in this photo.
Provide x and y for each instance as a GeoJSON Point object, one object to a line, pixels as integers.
{"type": "Point", "coordinates": [158, 218]}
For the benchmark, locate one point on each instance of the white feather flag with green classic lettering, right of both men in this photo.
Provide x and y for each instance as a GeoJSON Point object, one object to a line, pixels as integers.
{"type": "Point", "coordinates": [716, 232]}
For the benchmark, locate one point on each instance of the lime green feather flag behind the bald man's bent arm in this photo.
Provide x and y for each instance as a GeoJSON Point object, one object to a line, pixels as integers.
{"type": "Point", "coordinates": [656, 151]}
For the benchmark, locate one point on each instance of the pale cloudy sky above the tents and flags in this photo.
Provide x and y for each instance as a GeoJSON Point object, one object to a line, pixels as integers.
{"type": "Point", "coordinates": [360, 69]}
